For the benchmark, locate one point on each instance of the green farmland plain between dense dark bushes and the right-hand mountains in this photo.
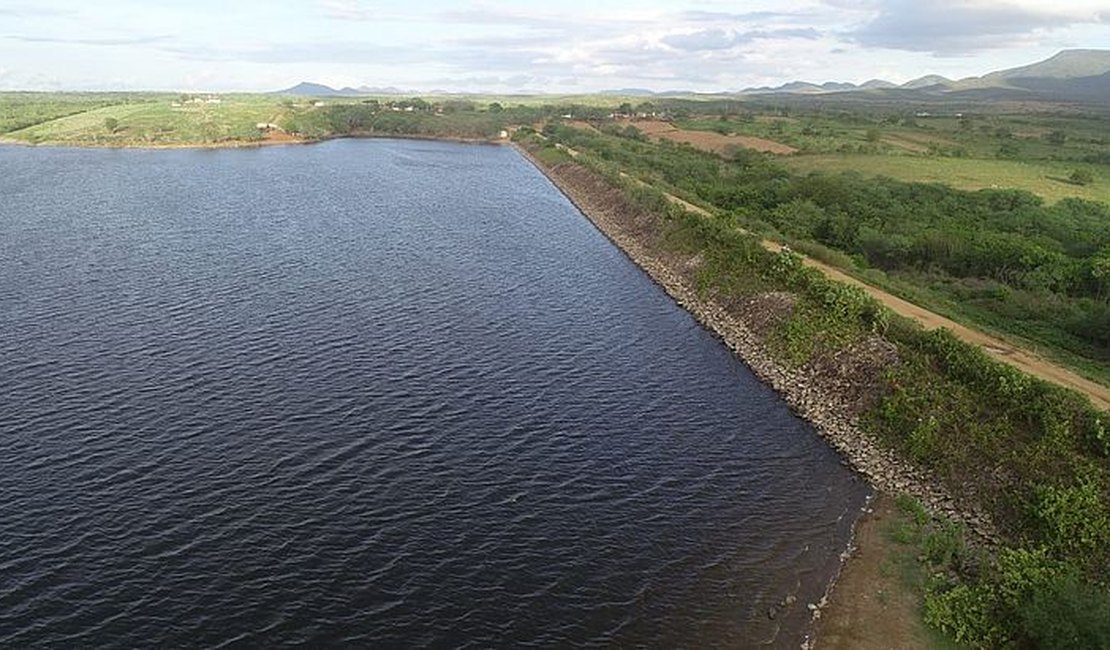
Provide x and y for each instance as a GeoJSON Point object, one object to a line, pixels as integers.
{"type": "Point", "coordinates": [986, 151]}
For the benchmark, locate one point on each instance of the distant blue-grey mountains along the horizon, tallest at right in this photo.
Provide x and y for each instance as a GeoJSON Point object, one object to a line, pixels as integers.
{"type": "Point", "coordinates": [1081, 76]}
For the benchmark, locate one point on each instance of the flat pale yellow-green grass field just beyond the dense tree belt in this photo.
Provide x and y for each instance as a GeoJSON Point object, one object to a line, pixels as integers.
{"type": "Point", "coordinates": [1046, 179]}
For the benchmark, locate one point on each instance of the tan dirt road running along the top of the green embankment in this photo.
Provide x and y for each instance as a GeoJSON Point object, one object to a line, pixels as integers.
{"type": "Point", "coordinates": [1004, 352]}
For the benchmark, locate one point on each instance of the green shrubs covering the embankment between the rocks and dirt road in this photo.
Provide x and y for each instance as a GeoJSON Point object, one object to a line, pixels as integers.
{"type": "Point", "coordinates": [1036, 456]}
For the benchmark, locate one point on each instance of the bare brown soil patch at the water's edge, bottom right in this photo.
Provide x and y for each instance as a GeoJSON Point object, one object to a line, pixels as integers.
{"type": "Point", "coordinates": [871, 607]}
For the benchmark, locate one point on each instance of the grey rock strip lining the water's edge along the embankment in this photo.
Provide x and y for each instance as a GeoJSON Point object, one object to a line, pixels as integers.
{"type": "Point", "coordinates": [823, 410]}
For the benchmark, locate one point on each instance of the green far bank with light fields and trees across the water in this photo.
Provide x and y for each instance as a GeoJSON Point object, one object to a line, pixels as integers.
{"type": "Point", "coordinates": [163, 119]}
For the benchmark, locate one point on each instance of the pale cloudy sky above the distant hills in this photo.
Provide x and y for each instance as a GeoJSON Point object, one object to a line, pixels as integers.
{"type": "Point", "coordinates": [501, 47]}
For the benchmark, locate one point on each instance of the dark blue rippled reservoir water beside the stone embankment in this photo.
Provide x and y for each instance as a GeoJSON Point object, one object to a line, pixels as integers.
{"type": "Point", "coordinates": [377, 393]}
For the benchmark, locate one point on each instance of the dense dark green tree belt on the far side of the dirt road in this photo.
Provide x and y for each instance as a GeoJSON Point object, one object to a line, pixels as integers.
{"type": "Point", "coordinates": [1035, 270]}
